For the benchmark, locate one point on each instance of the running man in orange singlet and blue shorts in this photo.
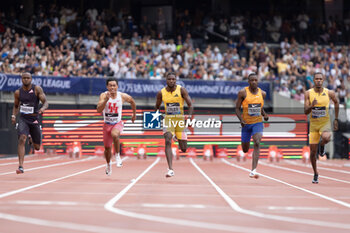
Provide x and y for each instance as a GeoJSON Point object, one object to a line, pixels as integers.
{"type": "Point", "coordinates": [251, 99]}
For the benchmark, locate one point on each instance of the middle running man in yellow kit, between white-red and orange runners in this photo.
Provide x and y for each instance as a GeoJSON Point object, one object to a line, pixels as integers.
{"type": "Point", "coordinates": [173, 97]}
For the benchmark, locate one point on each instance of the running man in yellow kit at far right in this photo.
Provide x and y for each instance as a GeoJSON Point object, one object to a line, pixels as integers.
{"type": "Point", "coordinates": [317, 103]}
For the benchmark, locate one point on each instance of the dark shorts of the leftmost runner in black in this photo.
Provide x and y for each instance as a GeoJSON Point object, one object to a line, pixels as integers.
{"type": "Point", "coordinates": [30, 127]}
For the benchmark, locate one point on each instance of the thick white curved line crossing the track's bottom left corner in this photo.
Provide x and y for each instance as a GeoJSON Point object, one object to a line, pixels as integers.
{"type": "Point", "coordinates": [66, 225]}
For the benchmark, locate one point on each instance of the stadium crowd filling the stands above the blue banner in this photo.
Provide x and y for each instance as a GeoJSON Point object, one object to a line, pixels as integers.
{"type": "Point", "coordinates": [109, 44]}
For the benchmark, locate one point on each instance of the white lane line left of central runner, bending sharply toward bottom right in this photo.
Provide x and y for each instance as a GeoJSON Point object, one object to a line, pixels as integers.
{"type": "Point", "coordinates": [182, 222]}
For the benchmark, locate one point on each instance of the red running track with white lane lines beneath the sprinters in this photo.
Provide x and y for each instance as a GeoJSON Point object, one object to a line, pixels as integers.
{"type": "Point", "coordinates": [59, 194]}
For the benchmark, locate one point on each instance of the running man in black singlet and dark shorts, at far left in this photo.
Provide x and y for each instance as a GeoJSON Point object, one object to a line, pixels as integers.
{"type": "Point", "coordinates": [27, 103]}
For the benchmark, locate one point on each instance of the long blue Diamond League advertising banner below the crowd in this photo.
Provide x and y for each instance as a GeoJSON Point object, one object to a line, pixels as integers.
{"type": "Point", "coordinates": [134, 87]}
